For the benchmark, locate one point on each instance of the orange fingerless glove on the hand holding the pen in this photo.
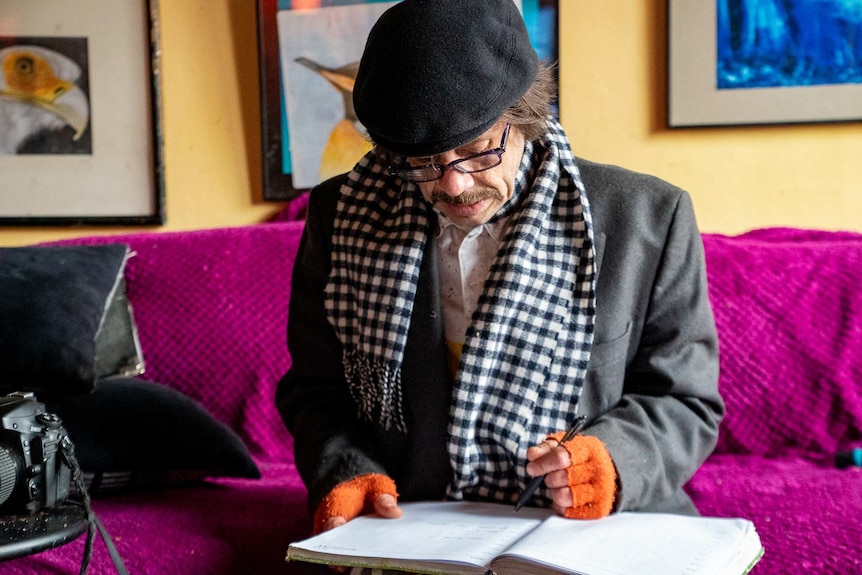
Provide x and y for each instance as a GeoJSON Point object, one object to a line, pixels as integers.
{"type": "Point", "coordinates": [592, 477]}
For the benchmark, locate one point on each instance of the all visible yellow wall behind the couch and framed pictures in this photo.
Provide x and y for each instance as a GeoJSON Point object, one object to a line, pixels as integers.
{"type": "Point", "coordinates": [613, 75]}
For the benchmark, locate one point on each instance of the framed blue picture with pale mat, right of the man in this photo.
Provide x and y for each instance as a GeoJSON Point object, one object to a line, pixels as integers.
{"type": "Point", "coordinates": [734, 62]}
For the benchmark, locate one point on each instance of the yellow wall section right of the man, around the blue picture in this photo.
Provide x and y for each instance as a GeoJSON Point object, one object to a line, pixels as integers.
{"type": "Point", "coordinates": [613, 78]}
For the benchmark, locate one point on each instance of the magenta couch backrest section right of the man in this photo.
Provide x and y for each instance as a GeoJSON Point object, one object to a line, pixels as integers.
{"type": "Point", "coordinates": [788, 307]}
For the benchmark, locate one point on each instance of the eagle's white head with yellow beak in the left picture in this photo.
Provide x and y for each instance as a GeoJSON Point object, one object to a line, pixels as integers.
{"type": "Point", "coordinates": [43, 108]}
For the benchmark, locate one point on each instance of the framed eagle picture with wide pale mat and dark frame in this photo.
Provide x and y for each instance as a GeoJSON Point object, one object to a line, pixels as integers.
{"type": "Point", "coordinates": [80, 113]}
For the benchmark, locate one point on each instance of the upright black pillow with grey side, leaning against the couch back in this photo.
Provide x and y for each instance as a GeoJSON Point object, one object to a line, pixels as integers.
{"type": "Point", "coordinates": [65, 322]}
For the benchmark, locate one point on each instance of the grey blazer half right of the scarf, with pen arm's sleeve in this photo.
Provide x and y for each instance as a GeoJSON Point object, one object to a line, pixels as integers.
{"type": "Point", "coordinates": [653, 378]}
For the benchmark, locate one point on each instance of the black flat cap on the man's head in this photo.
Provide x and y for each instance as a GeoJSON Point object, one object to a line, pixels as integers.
{"type": "Point", "coordinates": [436, 74]}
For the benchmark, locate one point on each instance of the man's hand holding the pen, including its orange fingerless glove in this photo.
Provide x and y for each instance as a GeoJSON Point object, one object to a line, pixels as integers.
{"type": "Point", "coordinates": [580, 476]}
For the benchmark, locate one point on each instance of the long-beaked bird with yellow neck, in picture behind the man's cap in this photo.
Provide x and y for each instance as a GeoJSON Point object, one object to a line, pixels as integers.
{"type": "Point", "coordinates": [346, 143]}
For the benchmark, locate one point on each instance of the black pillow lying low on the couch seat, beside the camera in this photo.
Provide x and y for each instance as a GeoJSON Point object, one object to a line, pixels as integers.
{"type": "Point", "coordinates": [131, 434]}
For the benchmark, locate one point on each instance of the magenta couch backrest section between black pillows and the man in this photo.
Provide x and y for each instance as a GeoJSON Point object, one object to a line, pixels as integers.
{"type": "Point", "coordinates": [211, 309]}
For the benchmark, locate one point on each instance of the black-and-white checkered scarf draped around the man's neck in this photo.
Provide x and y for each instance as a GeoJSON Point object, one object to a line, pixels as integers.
{"type": "Point", "coordinates": [525, 354]}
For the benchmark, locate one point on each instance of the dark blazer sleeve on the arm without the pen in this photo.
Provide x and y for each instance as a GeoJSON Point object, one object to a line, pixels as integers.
{"type": "Point", "coordinates": [330, 444]}
